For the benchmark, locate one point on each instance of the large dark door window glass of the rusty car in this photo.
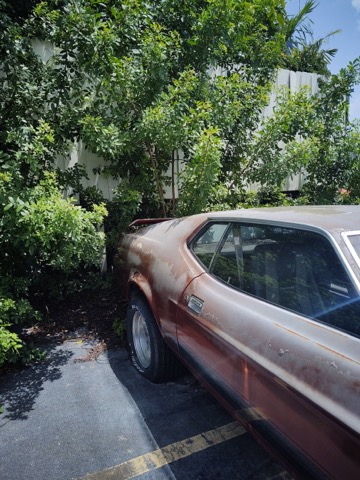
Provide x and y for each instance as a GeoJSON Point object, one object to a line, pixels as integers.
{"type": "Point", "coordinates": [297, 270]}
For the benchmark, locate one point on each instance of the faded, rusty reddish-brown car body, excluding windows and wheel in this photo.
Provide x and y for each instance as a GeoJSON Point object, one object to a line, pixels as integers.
{"type": "Point", "coordinates": [299, 376]}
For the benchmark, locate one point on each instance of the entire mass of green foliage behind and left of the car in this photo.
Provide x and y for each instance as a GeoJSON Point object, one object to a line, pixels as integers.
{"type": "Point", "coordinates": [142, 83]}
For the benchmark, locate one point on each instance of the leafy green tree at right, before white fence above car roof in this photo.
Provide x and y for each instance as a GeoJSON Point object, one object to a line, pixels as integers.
{"type": "Point", "coordinates": [310, 135]}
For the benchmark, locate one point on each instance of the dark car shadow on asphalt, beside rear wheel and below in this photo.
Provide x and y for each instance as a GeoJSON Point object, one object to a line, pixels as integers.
{"type": "Point", "coordinates": [182, 409]}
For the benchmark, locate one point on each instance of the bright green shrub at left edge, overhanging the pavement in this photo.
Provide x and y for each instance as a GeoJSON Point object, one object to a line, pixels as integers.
{"type": "Point", "coordinates": [44, 239]}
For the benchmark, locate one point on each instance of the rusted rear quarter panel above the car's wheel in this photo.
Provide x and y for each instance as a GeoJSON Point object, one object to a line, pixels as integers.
{"type": "Point", "coordinates": [156, 261]}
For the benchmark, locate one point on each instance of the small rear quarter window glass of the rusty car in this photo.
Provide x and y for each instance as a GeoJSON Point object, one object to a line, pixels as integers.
{"type": "Point", "coordinates": [205, 245]}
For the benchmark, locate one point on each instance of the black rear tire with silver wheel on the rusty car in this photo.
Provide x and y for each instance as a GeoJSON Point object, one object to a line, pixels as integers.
{"type": "Point", "coordinates": [150, 355]}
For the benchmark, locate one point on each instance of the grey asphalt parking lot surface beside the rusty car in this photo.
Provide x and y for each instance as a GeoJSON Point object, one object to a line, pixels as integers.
{"type": "Point", "coordinates": [69, 419]}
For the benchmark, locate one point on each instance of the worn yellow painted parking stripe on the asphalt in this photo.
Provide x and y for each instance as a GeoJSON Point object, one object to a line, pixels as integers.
{"type": "Point", "coordinates": [171, 453]}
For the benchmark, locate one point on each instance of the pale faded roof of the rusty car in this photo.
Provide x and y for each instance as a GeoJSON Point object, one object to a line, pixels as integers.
{"type": "Point", "coordinates": [328, 217]}
